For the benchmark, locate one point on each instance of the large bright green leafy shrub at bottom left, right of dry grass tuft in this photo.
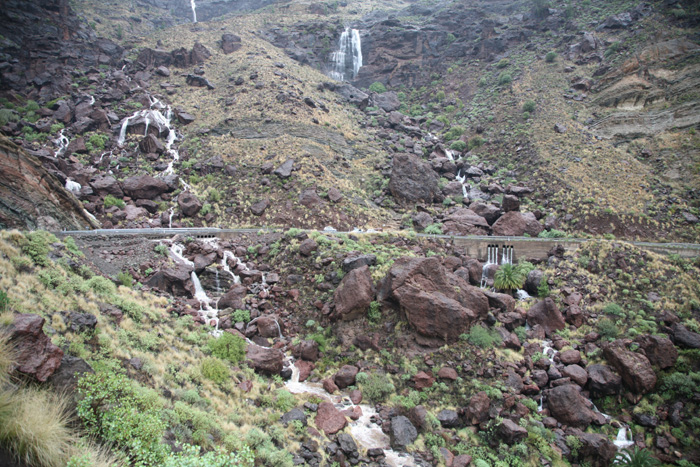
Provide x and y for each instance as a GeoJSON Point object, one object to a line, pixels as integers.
{"type": "Point", "coordinates": [120, 412]}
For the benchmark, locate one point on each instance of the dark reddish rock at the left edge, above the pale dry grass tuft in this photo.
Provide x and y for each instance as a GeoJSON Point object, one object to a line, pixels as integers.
{"type": "Point", "coordinates": [35, 354]}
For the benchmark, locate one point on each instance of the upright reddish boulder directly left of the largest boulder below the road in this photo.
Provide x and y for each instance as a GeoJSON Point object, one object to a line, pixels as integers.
{"type": "Point", "coordinates": [354, 294]}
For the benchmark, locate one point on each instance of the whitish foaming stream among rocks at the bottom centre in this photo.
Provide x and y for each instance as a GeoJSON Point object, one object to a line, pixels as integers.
{"type": "Point", "coordinates": [367, 435]}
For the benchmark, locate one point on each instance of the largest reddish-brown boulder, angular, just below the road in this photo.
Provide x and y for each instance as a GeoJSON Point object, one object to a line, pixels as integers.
{"type": "Point", "coordinates": [436, 303]}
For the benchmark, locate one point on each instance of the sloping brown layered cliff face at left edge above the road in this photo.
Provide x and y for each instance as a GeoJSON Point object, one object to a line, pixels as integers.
{"type": "Point", "coordinates": [31, 198]}
